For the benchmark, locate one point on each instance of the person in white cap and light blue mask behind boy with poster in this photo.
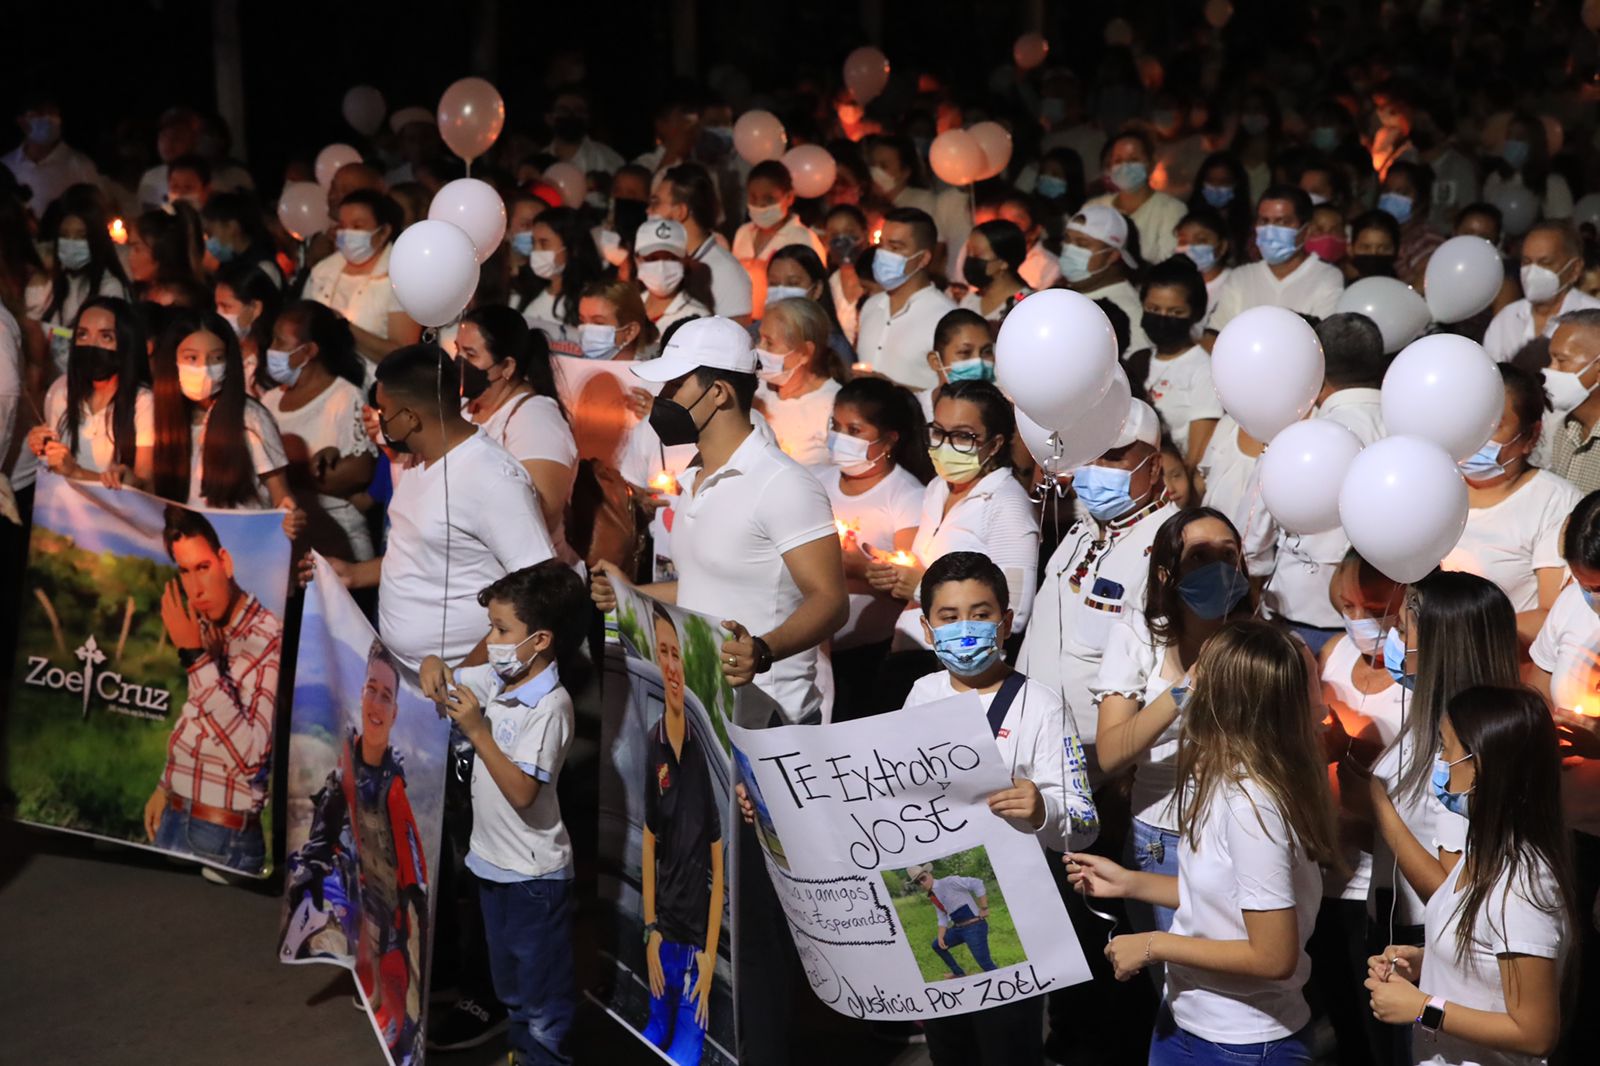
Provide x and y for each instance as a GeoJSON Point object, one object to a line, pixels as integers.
{"type": "Point", "coordinates": [1102, 567]}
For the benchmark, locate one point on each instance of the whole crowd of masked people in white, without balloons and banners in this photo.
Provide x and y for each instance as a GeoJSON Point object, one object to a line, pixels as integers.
{"type": "Point", "coordinates": [1313, 799]}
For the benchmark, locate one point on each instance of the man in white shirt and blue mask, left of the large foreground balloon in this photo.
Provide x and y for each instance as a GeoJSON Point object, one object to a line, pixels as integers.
{"type": "Point", "coordinates": [897, 326]}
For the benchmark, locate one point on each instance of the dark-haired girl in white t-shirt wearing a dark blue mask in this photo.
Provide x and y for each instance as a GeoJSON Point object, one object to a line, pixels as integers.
{"type": "Point", "coordinates": [1196, 587]}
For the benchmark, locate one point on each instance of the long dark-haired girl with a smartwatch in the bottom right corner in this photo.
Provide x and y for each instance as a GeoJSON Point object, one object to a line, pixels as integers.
{"type": "Point", "coordinates": [1487, 992]}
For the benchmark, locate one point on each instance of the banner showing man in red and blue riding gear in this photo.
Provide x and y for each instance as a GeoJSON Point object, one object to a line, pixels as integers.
{"type": "Point", "coordinates": [364, 816]}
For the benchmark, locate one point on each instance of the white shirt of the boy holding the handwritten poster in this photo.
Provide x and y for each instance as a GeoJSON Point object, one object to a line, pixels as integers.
{"type": "Point", "coordinates": [1038, 740]}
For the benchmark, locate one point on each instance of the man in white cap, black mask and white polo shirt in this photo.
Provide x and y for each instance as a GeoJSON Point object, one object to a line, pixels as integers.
{"type": "Point", "coordinates": [756, 547]}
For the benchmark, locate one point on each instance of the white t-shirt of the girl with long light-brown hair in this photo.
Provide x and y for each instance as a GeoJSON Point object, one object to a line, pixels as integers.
{"type": "Point", "coordinates": [1233, 868]}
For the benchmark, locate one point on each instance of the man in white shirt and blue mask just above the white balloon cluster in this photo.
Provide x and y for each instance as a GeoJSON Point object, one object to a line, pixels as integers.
{"type": "Point", "coordinates": [1287, 276]}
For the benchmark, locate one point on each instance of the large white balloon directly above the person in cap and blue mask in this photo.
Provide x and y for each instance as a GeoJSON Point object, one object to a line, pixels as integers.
{"type": "Point", "coordinates": [1055, 356]}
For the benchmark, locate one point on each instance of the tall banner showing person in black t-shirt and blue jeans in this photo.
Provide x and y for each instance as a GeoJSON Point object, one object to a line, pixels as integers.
{"type": "Point", "coordinates": [666, 832]}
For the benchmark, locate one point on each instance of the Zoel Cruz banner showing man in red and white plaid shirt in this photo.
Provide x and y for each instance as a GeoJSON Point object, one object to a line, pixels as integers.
{"type": "Point", "coordinates": [148, 671]}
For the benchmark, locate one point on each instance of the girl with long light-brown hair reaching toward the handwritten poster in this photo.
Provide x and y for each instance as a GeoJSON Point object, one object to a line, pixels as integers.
{"type": "Point", "coordinates": [1257, 820]}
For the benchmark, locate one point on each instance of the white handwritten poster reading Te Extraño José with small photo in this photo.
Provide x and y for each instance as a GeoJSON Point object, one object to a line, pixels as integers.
{"type": "Point", "coordinates": [906, 897]}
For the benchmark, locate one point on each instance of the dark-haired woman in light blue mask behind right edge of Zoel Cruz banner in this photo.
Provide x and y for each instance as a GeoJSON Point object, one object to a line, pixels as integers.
{"type": "Point", "coordinates": [318, 406]}
